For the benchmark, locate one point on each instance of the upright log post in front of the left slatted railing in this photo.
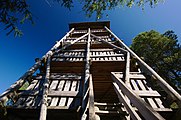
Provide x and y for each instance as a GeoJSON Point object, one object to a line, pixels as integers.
{"type": "Point", "coordinates": [43, 109]}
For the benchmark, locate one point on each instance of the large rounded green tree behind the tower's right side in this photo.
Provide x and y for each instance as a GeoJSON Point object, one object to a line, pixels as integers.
{"type": "Point", "coordinates": [162, 52]}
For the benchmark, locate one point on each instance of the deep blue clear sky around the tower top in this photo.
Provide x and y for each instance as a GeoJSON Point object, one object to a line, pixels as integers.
{"type": "Point", "coordinates": [51, 23]}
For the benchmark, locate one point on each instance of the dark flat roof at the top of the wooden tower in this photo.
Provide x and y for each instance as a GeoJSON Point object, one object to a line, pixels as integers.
{"type": "Point", "coordinates": [92, 25]}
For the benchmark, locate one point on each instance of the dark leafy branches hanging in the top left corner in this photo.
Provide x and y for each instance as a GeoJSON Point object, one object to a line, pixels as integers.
{"type": "Point", "coordinates": [13, 13]}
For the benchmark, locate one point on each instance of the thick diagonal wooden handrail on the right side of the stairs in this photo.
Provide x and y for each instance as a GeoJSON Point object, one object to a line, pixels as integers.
{"type": "Point", "coordinates": [147, 111]}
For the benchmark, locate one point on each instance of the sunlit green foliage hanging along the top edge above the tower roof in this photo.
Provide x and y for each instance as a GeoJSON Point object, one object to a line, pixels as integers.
{"type": "Point", "coordinates": [99, 6]}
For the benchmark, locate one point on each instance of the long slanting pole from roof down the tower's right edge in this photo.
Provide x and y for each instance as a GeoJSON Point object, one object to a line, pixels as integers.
{"type": "Point", "coordinates": [163, 84]}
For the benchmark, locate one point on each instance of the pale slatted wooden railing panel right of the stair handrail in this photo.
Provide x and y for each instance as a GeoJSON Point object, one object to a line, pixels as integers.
{"type": "Point", "coordinates": [144, 90]}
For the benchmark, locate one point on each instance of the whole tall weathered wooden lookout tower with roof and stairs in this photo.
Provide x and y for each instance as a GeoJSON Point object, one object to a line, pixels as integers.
{"type": "Point", "coordinates": [90, 74]}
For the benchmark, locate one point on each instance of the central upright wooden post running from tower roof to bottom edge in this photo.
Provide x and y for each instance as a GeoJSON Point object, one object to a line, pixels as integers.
{"type": "Point", "coordinates": [86, 76]}
